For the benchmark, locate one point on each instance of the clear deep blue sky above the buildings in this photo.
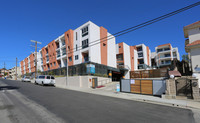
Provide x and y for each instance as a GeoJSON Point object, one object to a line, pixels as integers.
{"type": "Point", "coordinates": [45, 20]}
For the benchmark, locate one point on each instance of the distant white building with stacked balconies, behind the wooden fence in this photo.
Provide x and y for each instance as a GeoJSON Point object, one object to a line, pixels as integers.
{"type": "Point", "coordinates": [165, 54]}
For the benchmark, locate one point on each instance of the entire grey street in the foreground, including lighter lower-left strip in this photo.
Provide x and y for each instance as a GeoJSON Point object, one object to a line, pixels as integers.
{"type": "Point", "coordinates": [51, 104]}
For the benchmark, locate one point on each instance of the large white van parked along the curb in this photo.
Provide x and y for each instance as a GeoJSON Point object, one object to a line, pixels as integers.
{"type": "Point", "coordinates": [45, 80]}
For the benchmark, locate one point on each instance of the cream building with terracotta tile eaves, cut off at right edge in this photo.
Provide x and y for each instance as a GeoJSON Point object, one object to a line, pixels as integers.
{"type": "Point", "coordinates": [192, 46]}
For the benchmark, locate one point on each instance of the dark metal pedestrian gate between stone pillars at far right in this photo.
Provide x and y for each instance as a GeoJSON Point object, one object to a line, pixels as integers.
{"type": "Point", "coordinates": [183, 87]}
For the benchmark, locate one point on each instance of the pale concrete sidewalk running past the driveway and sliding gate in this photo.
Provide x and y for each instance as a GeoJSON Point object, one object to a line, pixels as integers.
{"type": "Point", "coordinates": [109, 90]}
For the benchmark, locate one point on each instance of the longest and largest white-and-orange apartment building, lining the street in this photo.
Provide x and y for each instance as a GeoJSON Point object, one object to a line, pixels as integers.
{"type": "Point", "coordinates": [86, 43]}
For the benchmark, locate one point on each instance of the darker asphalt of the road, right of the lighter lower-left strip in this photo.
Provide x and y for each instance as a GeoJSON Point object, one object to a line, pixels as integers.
{"type": "Point", "coordinates": [77, 107]}
